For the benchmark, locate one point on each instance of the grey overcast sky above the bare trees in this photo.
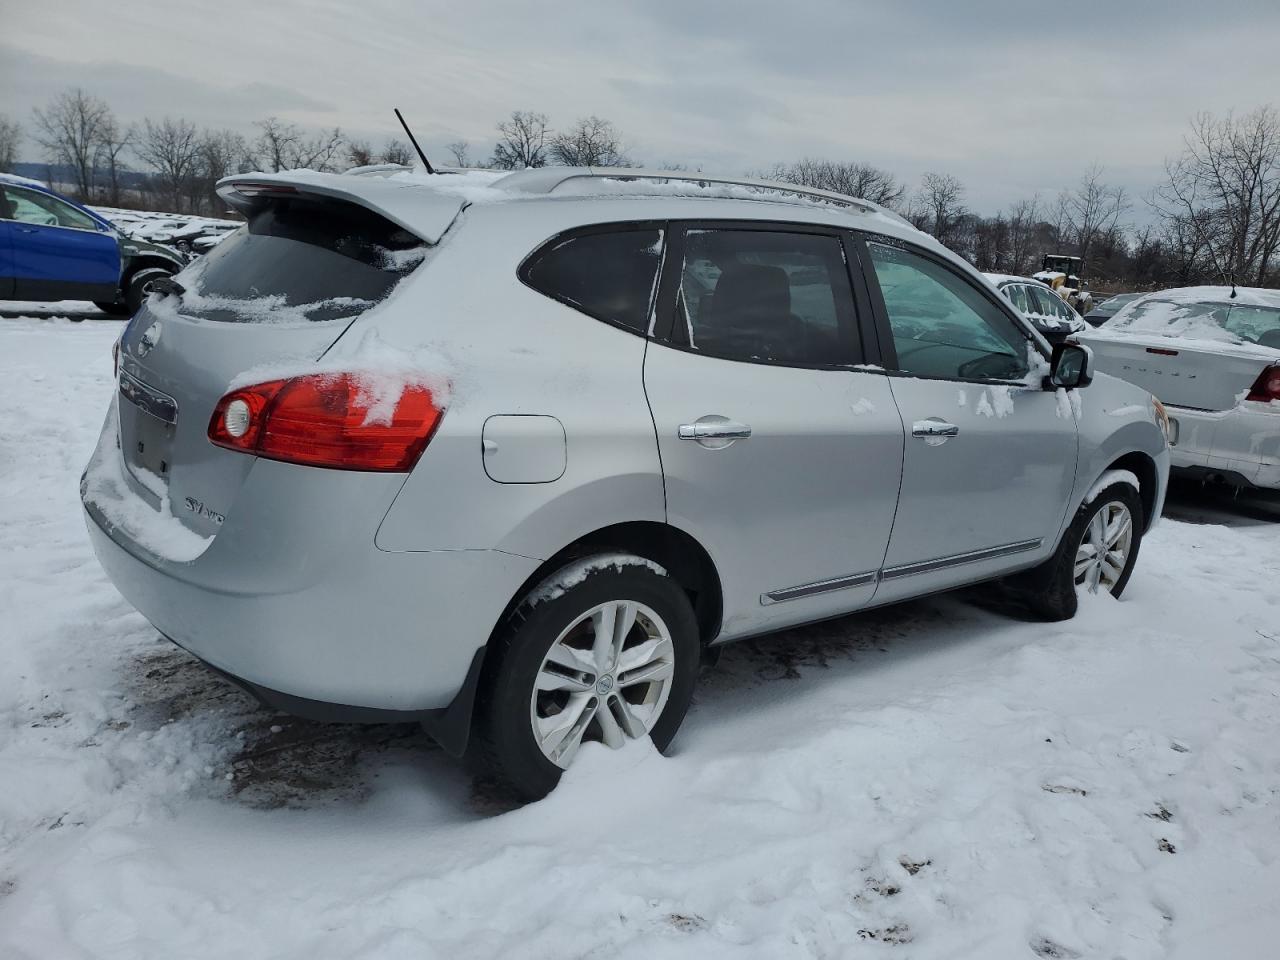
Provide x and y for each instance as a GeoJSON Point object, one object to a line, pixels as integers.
{"type": "Point", "coordinates": [1011, 98]}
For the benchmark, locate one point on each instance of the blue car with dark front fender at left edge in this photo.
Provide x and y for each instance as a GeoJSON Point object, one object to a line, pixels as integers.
{"type": "Point", "coordinates": [54, 249]}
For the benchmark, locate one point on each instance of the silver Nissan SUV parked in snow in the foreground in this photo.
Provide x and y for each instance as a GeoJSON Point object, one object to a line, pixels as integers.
{"type": "Point", "coordinates": [510, 456]}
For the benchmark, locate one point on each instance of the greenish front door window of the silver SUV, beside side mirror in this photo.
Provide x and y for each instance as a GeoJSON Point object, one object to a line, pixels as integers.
{"type": "Point", "coordinates": [943, 326]}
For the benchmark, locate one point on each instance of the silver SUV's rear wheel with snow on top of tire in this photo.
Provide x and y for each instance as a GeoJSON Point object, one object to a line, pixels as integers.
{"type": "Point", "coordinates": [605, 651]}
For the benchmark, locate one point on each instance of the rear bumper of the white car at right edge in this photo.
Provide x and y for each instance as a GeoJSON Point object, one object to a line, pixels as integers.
{"type": "Point", "coordinates": [1241, 445]}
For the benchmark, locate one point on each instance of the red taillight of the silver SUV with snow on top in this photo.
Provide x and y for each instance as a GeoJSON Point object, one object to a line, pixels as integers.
{"type": "Point", "coordinates": [327, 420]}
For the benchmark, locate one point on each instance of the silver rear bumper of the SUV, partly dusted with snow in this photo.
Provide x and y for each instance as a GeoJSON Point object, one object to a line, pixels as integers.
{"type": "Point", "coordinates": [380, 634]}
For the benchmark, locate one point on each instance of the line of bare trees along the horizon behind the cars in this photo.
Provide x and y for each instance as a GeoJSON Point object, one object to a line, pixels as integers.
{"type": "Point", "coordinates": [1217, 211]}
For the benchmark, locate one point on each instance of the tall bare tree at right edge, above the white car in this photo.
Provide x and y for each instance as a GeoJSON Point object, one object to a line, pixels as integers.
{"type": "Point", "coordinates": [1226, 191]}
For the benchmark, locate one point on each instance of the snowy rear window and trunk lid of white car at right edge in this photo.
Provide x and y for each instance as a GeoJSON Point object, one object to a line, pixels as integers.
{"type": "Point", "coordinates": [1204, 356]}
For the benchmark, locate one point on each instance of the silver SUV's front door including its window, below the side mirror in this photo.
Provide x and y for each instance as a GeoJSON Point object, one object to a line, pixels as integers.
{"type": "Point", "coordinates": [990, 461]}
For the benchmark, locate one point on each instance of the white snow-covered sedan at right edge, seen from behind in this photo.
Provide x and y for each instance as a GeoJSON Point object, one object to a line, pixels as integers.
{"type": "Point", "coordinates": [1213, 356]}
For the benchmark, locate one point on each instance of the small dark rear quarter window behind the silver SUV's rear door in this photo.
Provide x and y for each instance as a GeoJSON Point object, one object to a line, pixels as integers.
{"type": "Point", "coordinates": [609, 275]}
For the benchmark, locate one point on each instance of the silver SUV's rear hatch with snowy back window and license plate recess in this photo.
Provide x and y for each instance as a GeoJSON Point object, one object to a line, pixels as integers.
{"type": "Point", "coordinates": [273, 296]}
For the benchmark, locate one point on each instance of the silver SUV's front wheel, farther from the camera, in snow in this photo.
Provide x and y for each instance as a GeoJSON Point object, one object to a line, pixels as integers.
{"type": "Point", "coordinates": [1050, 591]}
